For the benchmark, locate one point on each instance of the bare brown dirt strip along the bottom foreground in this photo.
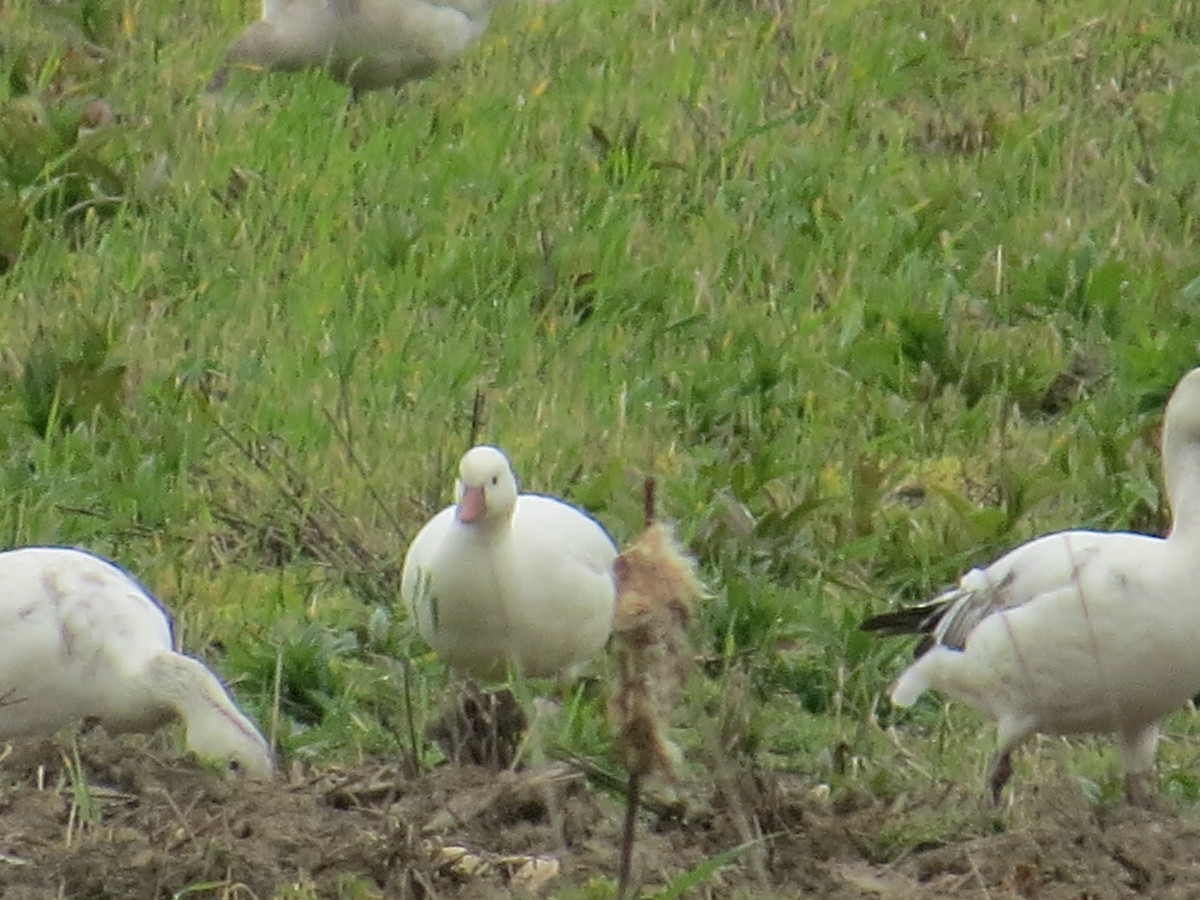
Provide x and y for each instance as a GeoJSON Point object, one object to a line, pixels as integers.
{"type": "Point", "coordinates": [154, 825]}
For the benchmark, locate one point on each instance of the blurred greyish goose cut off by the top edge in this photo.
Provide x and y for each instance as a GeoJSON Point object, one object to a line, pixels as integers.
{"type": "Point", "coordinates": [367, 44]}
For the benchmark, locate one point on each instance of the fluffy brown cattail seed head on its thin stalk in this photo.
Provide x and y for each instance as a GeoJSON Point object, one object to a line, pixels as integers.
{"type": "Point", "coordinates": [657, 586]}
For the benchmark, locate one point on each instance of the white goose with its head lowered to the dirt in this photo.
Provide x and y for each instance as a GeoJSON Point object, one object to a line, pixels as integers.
{"type": "Point", "coordinates": [81, 640]}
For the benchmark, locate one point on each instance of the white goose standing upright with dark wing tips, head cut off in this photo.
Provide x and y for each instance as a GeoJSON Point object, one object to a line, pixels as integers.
{"type": "Point", "coordinates": [1077, 632]}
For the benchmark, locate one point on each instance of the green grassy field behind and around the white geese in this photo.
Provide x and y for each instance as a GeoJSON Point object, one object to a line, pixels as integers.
{"type": "Point", "coordinates": [875, 290]}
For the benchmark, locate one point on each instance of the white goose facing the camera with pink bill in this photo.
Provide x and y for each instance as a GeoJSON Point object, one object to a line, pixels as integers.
{"type": "Point", "coordinates": [502, 579]}
